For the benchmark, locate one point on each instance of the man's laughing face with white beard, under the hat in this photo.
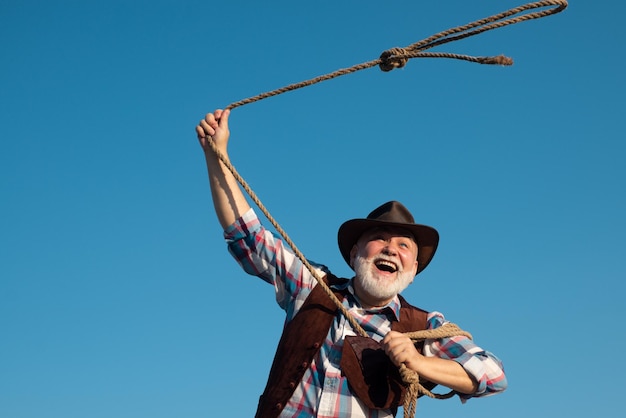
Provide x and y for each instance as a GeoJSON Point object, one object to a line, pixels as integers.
{"type": "Point", "coordinates": [385, 263]}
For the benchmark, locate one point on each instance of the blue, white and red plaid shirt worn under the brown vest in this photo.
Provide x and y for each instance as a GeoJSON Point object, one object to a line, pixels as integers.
{"type": "Point", "coordinates": [323, 391]}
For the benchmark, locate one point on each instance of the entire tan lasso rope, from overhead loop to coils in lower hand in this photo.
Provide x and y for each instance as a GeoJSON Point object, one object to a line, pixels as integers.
{"type": "Point", "coordinates": [388, 60]}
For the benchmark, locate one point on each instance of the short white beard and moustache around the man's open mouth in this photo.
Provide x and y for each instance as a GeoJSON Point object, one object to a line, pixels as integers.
{"type": "Point", "coordinates": [374, 286]}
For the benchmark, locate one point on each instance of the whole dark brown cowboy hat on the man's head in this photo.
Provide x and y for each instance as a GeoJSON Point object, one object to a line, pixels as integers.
{"type": "Point", "coordinates": [390, 214]}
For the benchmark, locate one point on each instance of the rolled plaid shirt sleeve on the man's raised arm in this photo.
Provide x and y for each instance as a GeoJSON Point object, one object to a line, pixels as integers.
{"type": "Point", "coordinates": [261, 253]}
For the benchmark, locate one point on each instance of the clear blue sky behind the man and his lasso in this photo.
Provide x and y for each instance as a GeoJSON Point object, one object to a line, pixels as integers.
{"type": "Point", "coordinates": [117, 295]}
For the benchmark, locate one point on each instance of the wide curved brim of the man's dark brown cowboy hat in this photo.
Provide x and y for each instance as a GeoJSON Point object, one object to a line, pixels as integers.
{"type": "Point", "coordinates": [426, 237]}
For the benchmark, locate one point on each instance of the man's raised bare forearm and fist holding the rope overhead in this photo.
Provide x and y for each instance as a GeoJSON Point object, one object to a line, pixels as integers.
{"type": "Point", "coordinates": [228, 199]}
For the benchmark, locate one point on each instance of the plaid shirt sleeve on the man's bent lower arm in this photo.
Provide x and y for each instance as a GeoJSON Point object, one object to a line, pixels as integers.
{"type": "Point", "coordinates": [486, 369]}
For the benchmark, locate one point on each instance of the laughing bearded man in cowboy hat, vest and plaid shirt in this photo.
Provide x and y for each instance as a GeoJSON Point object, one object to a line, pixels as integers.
{"type": "Point", "coordinates": [317, 370]}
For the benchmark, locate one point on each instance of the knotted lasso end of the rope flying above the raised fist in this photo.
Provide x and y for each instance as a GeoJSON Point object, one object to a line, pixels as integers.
{"type": "Point", "coordinates": [398, 57]}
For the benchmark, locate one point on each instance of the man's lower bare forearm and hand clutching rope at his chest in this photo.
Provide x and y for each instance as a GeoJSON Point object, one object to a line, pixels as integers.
{"type": "Point", "coordinates": [449, 373]}
